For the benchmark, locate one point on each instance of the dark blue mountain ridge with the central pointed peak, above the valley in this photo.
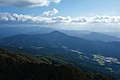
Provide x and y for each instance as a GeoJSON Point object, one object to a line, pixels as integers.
{"type": "Point", "coordinates": [58, 39]}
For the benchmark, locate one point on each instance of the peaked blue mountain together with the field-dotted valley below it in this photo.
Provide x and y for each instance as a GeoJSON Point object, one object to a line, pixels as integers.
{"type": "Point", "coordinates": [81, 52]}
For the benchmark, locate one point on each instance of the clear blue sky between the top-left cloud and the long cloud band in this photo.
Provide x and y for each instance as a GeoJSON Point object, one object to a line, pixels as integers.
{"type": "Point", "coordinates": [72, 8]}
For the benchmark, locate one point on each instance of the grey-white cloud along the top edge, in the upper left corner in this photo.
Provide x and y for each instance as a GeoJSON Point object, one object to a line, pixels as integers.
{"type": "Point", "coordinates": [27, 3]}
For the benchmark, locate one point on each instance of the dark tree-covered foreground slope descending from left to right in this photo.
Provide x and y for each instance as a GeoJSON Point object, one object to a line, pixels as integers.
{"type": "Point", "coordinates": [15, 66]}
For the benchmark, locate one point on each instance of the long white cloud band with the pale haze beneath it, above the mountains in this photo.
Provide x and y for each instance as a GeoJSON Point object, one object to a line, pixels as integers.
{"type": "Point", "coordinates": [97, 23]}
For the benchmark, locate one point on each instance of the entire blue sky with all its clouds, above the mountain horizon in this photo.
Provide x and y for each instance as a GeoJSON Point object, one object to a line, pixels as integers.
{"type": "Point", "coordinates": [99, 15]}
